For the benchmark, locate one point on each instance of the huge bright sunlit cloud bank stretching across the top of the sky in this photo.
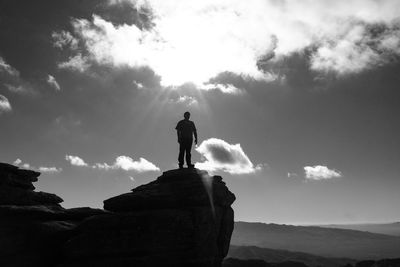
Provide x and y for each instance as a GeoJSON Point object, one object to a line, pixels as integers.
{"type": "Point", "coordinates": [193, 41]}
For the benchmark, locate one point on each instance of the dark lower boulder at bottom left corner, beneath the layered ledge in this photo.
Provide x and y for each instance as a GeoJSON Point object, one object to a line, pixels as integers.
{"type": "Point", "coordinates": [34, 235]}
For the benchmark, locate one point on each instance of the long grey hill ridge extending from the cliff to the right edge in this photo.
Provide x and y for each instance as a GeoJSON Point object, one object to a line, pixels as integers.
{"type": "Point", "coordinates": [327, 242]}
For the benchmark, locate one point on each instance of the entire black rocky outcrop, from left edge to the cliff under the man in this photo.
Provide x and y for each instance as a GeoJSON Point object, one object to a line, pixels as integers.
{"type": "Point", "coordinates": [183, 218]}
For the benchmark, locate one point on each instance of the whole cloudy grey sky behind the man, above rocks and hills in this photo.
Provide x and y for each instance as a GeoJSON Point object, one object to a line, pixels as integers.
{"type": "Point", "coordinates": [295, 102]}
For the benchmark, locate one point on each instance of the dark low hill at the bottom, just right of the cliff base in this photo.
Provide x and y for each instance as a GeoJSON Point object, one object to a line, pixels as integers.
{"type": "Point", "coordinates": [277, 256]}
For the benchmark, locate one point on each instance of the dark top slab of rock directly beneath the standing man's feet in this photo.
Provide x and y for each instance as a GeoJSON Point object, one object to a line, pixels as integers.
{"type": "Point", "coordinates": [175, 189]}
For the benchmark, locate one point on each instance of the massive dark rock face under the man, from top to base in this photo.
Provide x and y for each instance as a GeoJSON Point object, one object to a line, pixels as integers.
{"type": "Point", "coordinates": [183, 218]}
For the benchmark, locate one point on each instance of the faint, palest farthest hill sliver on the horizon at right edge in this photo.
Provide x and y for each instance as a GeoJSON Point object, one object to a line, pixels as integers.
{"type": "Point", "coordinates": [381, 228]}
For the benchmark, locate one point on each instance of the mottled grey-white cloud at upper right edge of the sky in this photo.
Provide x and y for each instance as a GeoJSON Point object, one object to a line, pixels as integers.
{"type": "Point", "coordinates": [358, 48]}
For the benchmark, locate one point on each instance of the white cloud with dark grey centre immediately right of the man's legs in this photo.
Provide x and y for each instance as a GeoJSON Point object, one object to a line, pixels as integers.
{"type": "Point", "coordinates": [222, 156]}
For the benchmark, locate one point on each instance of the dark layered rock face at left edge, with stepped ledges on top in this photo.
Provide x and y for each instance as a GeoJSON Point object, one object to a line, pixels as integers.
{"type": "Point", "coordinates": [33, 226]}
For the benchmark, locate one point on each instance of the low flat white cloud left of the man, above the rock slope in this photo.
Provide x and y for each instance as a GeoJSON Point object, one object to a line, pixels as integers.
{"type": "Point", "coordinates": [128, 164]}
